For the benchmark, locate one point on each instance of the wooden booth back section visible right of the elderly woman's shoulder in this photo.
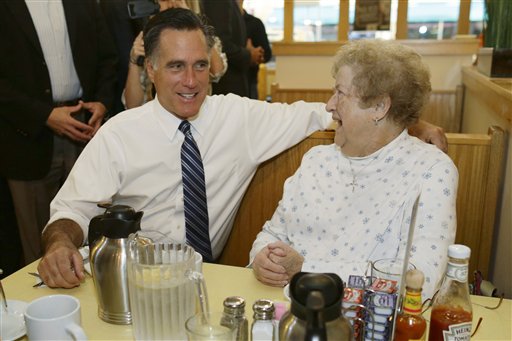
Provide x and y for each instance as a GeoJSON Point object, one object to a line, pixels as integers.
{"type": "Point", "coordinates": [479, 159]}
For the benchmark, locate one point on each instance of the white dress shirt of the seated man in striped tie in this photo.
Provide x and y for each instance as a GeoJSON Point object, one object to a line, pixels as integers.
{"type": "Point", "coordinates": [134, 160]}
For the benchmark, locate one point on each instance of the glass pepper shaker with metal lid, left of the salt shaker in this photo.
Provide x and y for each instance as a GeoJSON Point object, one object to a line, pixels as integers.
{"type": "Point", "coordinates": [234, 317]}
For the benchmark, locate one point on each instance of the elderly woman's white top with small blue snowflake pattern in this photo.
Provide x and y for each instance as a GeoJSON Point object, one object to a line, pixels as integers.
{"type": "Point", "coordinates": [340, 230]}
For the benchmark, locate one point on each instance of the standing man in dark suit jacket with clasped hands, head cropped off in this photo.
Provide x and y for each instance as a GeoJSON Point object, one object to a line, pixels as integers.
{"type": "Point", "coordinates": [58, 62]}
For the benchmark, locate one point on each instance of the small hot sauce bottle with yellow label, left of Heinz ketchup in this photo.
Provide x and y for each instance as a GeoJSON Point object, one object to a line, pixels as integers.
{"type": "Point", "coordinates": [410, 325]}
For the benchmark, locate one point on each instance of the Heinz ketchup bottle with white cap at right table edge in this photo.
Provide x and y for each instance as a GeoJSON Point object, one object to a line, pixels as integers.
{"type": "Point", "coordinates": [452, 314]}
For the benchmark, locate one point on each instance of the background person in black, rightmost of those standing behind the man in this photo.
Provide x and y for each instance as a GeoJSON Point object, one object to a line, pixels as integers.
{"type": "Point", "coordinates": [256, 36]}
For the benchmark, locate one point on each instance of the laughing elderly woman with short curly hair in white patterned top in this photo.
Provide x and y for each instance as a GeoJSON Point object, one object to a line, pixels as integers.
{"type": "Point", "coordinates": [351, 202]}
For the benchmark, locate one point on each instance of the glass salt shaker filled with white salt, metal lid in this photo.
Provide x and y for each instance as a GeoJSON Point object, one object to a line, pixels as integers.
{"type": "Point", "coordinates": [263, 327]}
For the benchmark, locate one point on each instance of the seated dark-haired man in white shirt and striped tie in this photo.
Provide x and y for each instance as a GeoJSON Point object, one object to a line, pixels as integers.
{"type": "Point", "coordinates": [134, 156]}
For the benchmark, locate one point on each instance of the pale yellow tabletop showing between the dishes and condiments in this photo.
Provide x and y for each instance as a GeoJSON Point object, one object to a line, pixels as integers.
{"type": "Point", "coordinates": [223, 281]}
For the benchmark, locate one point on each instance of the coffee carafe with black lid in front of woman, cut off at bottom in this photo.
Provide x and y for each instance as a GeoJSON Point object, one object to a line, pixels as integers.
{"type": "Point", "coordinates": [315, 312]}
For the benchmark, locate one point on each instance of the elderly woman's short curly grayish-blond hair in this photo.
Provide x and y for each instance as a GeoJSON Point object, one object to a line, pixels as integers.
{"type": "Point", "coordinates": [387, 68]}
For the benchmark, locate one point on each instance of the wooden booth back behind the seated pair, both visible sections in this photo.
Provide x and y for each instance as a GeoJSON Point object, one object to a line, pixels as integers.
{"type": "Point", "coordinates": [478, 157]}
